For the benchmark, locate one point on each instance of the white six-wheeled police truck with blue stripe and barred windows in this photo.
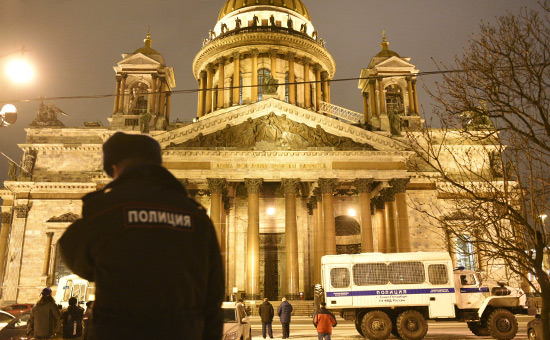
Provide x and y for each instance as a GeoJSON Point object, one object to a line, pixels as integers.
{"type": "Point", "coordinates": [396, 293]}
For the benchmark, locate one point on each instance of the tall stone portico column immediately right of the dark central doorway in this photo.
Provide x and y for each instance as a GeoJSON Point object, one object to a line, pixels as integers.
{"type": "Point", "coordinates": [290, 186]}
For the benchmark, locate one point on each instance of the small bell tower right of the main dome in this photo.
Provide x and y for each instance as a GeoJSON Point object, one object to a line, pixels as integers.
{"type": "Point", "coordinates": [388, 86]}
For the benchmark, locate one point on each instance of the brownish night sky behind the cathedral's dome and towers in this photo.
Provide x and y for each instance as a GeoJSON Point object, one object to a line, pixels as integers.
{"type": "Point", "coordinates": [74, 45]}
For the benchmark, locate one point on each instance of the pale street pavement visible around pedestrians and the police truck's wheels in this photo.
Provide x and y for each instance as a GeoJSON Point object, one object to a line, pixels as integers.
{"type": "Point", "coordinates": [302, 328]}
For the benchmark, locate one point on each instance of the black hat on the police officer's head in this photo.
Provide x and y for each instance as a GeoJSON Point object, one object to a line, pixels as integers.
{"type": "Point", "coordinates": [121, 146]}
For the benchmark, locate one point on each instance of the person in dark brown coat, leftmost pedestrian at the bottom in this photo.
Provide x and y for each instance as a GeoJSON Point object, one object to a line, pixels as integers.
{"type": "Point", "coordinates": [44, 317]}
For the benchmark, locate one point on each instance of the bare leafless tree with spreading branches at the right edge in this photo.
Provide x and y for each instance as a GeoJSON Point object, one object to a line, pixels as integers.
{"type": "Point", "coordinates": [490, 153]}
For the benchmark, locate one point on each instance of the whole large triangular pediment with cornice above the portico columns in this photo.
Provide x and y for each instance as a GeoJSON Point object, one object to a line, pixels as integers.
{"type": "Point", "coordinates": [282, 125]}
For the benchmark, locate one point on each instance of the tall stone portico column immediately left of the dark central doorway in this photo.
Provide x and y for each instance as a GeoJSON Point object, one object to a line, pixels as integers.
{"type": "Point", "coordinates": [253, 186]}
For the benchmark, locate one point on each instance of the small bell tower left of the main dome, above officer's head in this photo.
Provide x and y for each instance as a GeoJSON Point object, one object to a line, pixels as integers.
{"type": "Point", "coordinates": [143, 88]}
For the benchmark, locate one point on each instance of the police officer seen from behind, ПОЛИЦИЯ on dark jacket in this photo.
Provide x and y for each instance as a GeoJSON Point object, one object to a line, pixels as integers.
{"type": "Point", "coordinates": [151, 250]}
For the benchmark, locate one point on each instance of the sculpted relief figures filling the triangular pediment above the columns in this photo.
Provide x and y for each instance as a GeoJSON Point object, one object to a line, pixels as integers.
{"type": "Point", "coordinates": [272, 132]}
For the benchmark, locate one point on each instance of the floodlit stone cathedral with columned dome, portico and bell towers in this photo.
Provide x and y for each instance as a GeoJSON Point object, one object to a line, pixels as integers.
{"type": "Point", "coordinates": [286, 176]}
